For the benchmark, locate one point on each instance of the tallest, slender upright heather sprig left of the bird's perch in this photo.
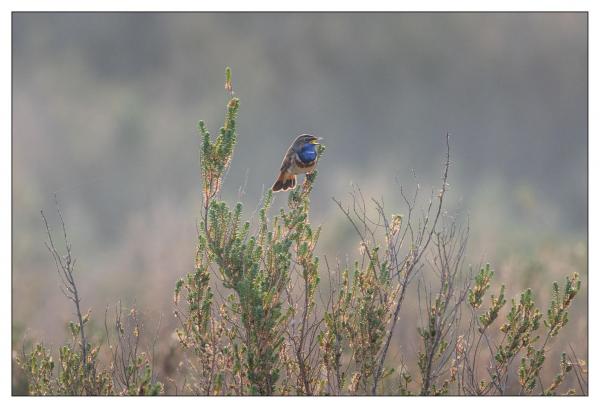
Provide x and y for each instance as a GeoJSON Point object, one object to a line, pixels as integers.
{"type": "Point", "coordinates": [202, 329]}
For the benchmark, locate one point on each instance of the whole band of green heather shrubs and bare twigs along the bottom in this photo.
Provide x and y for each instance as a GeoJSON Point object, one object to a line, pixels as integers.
{"type": "Point", "coordinates": [263, 314]}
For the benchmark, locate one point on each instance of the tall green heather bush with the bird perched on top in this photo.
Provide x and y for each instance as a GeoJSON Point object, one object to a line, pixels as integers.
{"type": "Point", "coordinates": [254, 266]}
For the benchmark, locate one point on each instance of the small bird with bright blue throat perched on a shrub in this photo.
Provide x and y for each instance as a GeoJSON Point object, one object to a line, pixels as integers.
{"type": "Point", "coordinates": [300, 158]}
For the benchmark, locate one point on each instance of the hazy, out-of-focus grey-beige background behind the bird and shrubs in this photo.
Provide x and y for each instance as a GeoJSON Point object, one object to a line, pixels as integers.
{"type": "Point", "coordinates": [105, 108]}
